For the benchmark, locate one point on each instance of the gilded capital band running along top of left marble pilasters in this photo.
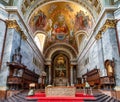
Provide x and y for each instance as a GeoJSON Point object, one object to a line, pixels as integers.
{"type": "Point", "coordinates": [14, 25]}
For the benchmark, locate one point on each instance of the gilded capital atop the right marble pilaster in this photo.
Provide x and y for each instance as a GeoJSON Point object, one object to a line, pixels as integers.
{"type": "Point", "coordinates": [108, 24]}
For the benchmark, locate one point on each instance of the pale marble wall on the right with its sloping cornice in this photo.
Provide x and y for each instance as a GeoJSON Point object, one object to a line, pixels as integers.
{"type": "Point", "coordinates": [100, 50]}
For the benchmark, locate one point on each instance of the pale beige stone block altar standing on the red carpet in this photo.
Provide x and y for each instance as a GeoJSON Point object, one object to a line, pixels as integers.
{"type": "Point", "coordinates": [52, 91]}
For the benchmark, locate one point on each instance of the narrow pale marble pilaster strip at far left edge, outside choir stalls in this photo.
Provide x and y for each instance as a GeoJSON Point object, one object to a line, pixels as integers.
{"type": "Point", "coordinates": [4, 72]}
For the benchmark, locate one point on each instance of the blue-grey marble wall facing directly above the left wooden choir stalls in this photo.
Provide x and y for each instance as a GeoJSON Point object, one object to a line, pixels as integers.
{"type": "Point", "coordinates": [26, 51]}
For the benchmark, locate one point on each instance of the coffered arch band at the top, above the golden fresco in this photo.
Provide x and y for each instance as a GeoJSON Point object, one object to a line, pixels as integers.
{"type": "Point", "coordinates": [93, 6]}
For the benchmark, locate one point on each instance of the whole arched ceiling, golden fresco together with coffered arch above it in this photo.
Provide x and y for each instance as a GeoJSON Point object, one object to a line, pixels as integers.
{"type": "Point", "coordinates": [60, 19]}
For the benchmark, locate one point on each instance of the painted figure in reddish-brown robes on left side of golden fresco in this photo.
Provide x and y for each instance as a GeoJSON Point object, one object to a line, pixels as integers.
{"type": "Point", "coordinates": [40, 20]}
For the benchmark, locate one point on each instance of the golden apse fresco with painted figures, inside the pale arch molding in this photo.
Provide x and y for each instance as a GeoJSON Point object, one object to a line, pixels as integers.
{"type": "Point", "coordinates": [60, 21]}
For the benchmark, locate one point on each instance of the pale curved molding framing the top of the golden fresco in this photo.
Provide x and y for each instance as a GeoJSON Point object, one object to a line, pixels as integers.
{"type": "Point", "coordinates": [39, 3]}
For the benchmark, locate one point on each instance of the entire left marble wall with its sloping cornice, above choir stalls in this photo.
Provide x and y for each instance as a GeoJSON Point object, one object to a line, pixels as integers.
{"type": "Point", "coordinates": [28, 47]}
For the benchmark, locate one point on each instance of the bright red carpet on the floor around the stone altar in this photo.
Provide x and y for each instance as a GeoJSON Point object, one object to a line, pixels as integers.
{"type": "Point", "coordinates": [79, 97]}
